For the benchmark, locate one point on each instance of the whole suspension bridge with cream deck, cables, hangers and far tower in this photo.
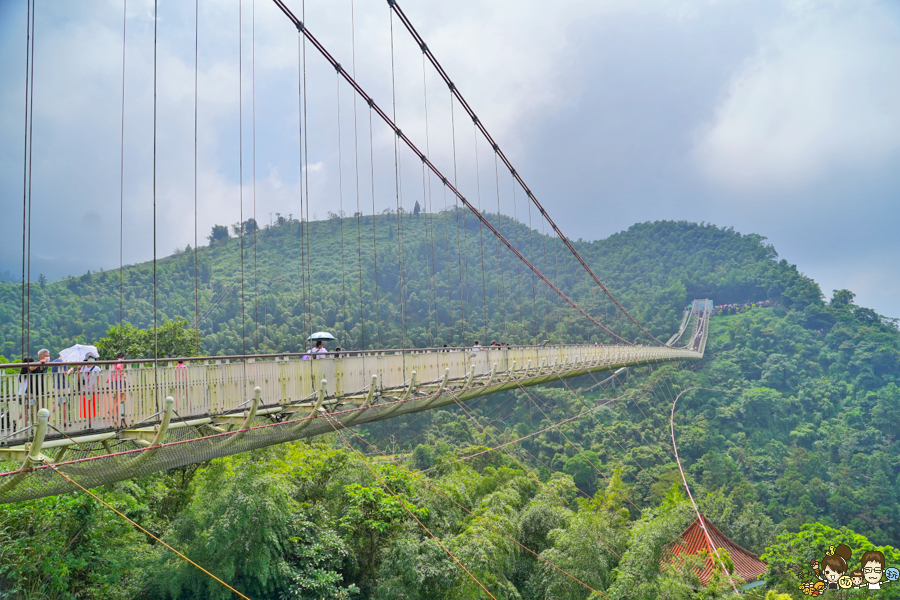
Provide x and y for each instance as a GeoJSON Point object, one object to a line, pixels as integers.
{"type": "Point", "coordinates": [104, 425]}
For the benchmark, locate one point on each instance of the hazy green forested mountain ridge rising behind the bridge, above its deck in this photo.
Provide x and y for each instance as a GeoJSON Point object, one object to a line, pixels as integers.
{"type": "Point", "coordinates": [294, 283]}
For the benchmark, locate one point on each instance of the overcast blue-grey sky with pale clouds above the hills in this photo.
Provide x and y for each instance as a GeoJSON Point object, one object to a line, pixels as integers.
{"type": "Point", "coordinates": [777, 118]}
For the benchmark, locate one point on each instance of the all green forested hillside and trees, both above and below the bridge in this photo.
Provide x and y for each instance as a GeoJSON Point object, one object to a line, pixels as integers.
{"type": "Point", "coordinates": [790, 443]}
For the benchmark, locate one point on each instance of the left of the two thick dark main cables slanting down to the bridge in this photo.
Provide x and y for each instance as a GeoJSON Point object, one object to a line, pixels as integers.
{"type": "Point", "coordinates": [308, 36]}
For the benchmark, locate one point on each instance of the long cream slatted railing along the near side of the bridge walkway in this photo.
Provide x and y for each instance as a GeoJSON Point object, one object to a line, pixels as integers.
{"type": "Point", "coordinates": [105, 399]}
